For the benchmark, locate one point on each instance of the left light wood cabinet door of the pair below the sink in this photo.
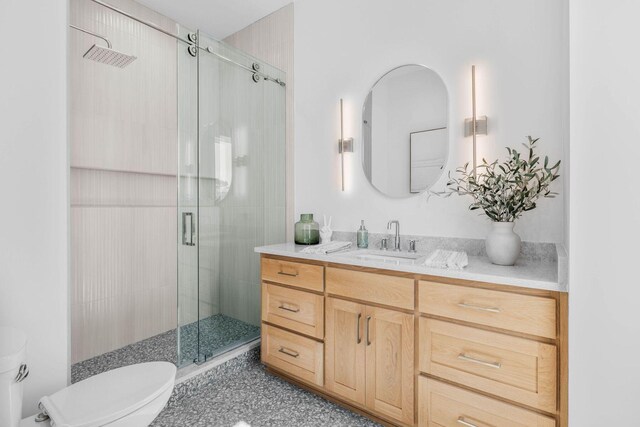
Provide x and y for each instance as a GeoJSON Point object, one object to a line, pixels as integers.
{"type": "Point", "coordinates": [345, 353]}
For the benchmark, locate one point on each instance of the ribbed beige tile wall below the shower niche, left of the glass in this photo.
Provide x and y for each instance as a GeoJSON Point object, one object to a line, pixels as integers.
{"type": "Point", "coordinates": [123, 276]}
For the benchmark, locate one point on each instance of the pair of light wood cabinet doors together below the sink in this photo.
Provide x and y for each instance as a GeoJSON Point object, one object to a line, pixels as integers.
{"type": "Point", "coordinates": [369, 357]}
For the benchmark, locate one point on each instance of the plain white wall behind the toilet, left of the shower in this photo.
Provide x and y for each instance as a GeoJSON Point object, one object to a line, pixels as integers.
{"type": "Point", "coordinates": [33, 187]}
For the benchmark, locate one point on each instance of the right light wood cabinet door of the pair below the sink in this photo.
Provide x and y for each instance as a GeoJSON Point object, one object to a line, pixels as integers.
{"type": "Point", "coordinates": [390, 365]}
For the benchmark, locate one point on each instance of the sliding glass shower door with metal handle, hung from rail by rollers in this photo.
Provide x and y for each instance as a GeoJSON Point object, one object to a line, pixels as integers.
{"type": "Point", "coordinates": [231, 193]}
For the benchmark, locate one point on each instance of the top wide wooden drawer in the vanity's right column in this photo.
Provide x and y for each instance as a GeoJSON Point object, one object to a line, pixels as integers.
{"type": "Point", "coordinates": [520, 313]}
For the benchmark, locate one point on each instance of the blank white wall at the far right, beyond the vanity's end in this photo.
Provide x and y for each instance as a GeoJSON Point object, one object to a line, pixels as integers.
{"type": "Point", "coordinates": [604, 319]}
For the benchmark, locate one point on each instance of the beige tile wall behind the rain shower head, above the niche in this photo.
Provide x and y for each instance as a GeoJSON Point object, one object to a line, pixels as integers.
{"type": "Point", "coordinates": [122, 119]}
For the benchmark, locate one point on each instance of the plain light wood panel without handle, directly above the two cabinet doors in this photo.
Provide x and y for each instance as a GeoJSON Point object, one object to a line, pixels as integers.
{"type": "Point", "coordinates": [378, 288]}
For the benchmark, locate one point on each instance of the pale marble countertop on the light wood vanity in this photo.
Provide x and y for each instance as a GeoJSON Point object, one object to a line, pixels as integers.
{"type": "Point", "coordinates": [526, 273]}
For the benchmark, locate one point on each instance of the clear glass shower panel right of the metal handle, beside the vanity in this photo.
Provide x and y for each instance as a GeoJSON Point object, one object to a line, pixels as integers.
{"type": "Point", "coordinates": [242, 188]}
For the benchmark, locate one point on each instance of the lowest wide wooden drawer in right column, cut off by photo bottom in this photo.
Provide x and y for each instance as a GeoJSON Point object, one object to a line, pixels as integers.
{"type": "Point", "coordinates": [443, 405]}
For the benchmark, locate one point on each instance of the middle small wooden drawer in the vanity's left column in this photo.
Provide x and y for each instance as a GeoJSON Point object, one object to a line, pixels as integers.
{"type": "Point", "coordinates": [296, 310]}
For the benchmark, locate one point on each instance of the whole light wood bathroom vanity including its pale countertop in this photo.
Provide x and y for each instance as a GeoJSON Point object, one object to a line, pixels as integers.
{"type": "Point", "coordinates": [407, 345]}
